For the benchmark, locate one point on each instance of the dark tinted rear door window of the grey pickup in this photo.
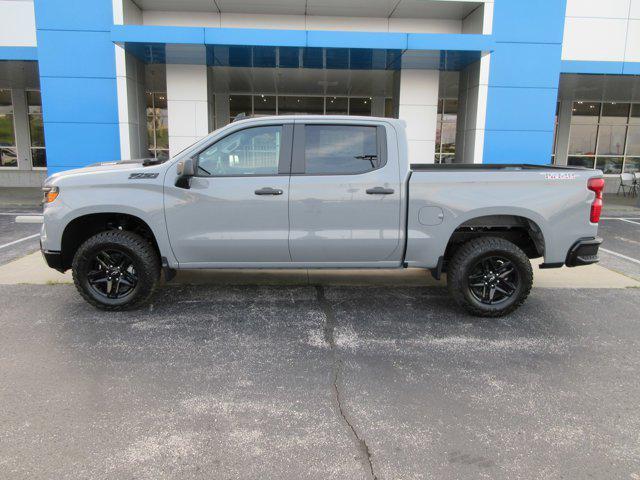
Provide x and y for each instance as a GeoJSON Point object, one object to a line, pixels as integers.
{"type": "Point", "coordinates": [340, 149]}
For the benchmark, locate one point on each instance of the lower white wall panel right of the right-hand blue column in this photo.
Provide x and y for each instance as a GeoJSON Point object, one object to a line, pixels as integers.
{"type": "Point", "coordinates": [594, 39]}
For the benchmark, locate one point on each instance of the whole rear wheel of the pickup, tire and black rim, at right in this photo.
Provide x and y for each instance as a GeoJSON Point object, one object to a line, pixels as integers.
{"type": "Point", "coordinates": [489, 277]}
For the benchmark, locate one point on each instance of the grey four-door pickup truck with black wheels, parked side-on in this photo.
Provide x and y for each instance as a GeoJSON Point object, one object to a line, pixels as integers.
{"type": "Point", "coordinates": [317, 192]}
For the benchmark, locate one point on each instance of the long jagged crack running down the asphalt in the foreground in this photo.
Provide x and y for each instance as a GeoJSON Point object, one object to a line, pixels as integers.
{"type": "Point", "coordinates": [329, 338]}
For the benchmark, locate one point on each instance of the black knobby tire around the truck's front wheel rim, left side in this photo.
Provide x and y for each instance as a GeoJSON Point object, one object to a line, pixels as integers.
{"type": "Point", "coordinates": [145, 260]}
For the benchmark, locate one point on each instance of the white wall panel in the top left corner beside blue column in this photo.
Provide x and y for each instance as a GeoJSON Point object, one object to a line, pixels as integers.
{"type": "Point", "coordinates": [18, 27]}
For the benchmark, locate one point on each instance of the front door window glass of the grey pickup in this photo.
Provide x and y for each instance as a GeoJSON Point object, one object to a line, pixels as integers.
{"type": "Point", "coordinates": [253, 151]}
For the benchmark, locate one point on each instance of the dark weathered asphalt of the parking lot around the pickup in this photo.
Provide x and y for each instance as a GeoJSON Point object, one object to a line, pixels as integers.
{"type": "Point", "coordinates": [320, 382]}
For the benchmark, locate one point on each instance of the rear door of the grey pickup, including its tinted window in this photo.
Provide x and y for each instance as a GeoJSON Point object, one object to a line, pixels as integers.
{"type": "Point", "coordinates": [344, 198]}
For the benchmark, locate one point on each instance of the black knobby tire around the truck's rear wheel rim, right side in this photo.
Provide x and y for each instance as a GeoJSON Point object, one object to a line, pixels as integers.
{"type": "Point", "coordinates": [468, 255]}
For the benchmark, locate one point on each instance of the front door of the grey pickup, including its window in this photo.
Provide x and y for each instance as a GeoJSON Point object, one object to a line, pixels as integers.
{"type": "Point", "coordinates": [236, 208]}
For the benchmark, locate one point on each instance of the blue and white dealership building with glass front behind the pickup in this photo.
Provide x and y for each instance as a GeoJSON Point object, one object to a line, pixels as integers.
{"type": "Point", "coordinates": [495, 81]}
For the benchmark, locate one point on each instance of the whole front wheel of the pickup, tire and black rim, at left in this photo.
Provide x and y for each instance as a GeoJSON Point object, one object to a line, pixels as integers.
{"type": "Point", "coordinates": [116, 270]}
